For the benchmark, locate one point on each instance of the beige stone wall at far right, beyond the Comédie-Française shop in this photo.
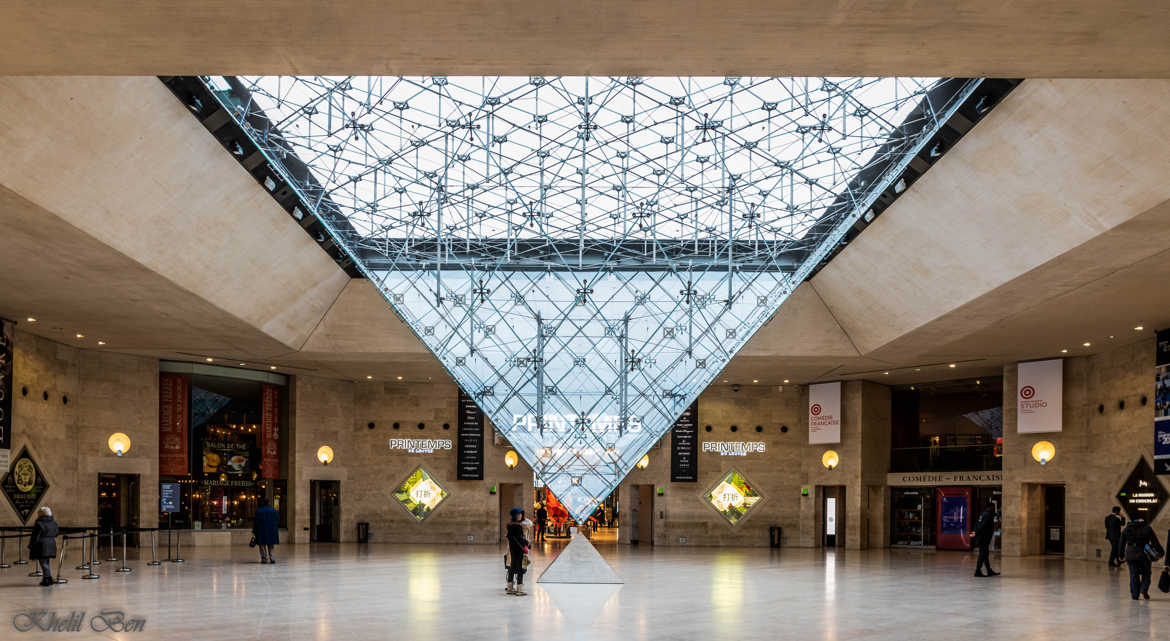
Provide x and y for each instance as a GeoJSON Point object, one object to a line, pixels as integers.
{"type": "Point", "coordinates": [1096, 451]}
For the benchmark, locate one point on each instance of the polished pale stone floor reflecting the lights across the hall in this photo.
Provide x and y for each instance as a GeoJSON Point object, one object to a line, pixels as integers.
{"type": "Point", "coordinates": [422, 594]}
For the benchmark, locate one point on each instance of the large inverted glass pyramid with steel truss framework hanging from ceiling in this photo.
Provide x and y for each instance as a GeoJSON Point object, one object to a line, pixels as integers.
{"type": "Point", "coordinates": [586, 254]}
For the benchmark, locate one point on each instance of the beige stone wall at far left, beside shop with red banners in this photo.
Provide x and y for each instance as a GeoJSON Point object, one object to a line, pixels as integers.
{"type": "Point", "coordinates": [107, 394]}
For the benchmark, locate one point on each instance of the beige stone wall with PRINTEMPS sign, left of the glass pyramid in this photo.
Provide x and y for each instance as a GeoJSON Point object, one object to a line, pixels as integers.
{"type": "Point", "coordinates": [338, 413]}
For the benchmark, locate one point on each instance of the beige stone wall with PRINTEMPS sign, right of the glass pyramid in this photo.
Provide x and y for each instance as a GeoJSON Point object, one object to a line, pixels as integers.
{"type": "Point", "coordinates": [789, 466]}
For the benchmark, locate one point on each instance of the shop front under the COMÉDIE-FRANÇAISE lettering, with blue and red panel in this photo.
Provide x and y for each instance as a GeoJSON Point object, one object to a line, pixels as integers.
{"type": "Point", "coordinates": [939, 509]}
